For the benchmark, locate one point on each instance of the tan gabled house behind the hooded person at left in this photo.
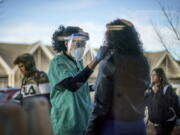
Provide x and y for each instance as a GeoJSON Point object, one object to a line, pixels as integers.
{"type": "Point", "coordinates": [10, 75]}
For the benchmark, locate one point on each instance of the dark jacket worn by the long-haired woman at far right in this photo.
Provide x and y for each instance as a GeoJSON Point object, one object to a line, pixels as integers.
{"type": "Point", "coordinates": [160, 105]}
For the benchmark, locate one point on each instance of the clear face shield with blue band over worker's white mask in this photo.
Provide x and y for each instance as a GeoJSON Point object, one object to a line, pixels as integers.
{"type": "Point", "coordinates": [78, 45]}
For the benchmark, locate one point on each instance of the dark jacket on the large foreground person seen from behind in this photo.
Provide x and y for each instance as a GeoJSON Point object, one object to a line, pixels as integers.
{"type": "Point", "coordinates": [120, 87]}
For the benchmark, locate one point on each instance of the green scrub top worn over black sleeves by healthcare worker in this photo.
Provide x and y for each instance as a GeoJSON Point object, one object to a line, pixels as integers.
{"type": "Point", "coordinates": [70, 110]}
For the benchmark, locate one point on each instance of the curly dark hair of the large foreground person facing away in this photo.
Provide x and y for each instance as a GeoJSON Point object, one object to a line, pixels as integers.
{"type": "Point", "coordinates": [125, 41]}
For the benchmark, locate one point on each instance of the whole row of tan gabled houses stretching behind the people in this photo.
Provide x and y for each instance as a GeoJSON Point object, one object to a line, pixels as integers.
{"type": "Point", "coordinates": [11, 76]}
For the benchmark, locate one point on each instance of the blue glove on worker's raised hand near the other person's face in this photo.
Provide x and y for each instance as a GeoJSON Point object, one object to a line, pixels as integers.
{"type": "Point", "coordinates": [101, 53]}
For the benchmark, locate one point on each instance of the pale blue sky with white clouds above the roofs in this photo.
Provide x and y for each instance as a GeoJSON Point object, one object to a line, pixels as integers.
{"type": "Point", "coordinates": [28, 21]}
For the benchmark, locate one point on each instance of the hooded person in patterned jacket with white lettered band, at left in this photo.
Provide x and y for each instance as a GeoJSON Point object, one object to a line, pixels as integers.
{"type": "Point", "coordinates": [34, 82]}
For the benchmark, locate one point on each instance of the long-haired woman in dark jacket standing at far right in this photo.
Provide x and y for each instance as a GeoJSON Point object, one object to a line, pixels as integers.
{"type": "Point", "coordinates": [162, 103]}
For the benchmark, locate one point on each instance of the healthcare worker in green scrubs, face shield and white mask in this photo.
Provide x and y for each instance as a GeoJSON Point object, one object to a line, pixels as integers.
{"type": "Point", "coordinates": [71, 104]}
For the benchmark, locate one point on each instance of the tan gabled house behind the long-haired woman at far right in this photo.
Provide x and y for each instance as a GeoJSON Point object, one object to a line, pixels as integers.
{"type": "Point", "coordinates": [164, 60]}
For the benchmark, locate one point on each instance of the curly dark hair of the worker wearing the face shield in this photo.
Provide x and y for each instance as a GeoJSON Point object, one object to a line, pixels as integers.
{"type": "Point", "coordinates": [62, 31]}
